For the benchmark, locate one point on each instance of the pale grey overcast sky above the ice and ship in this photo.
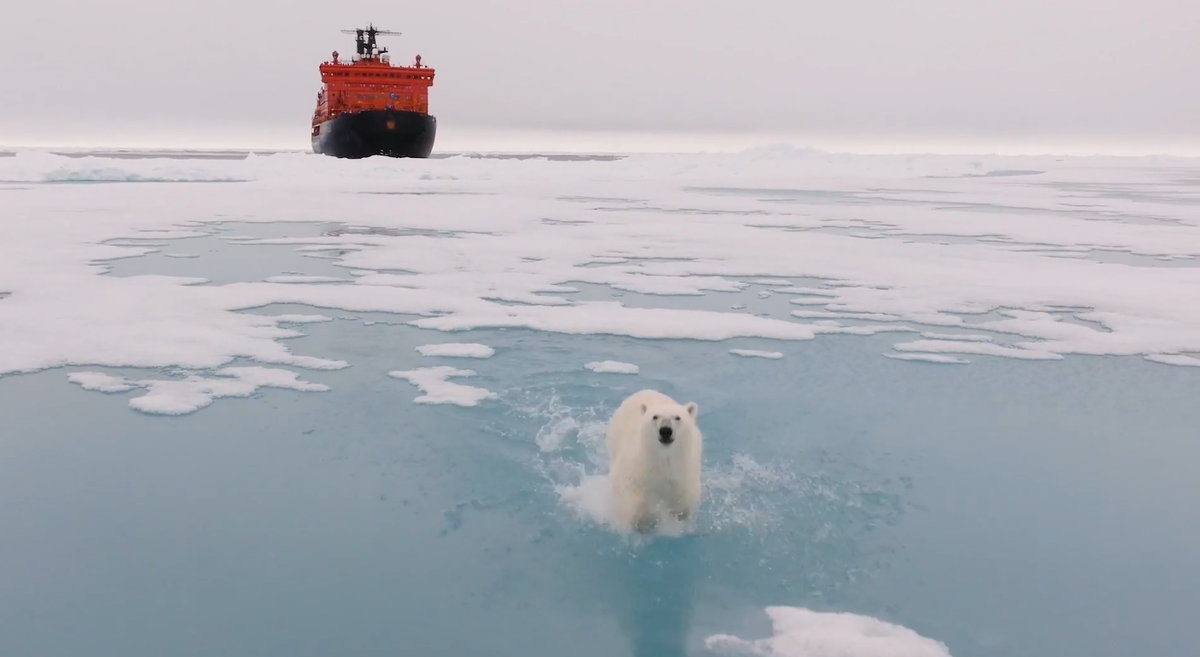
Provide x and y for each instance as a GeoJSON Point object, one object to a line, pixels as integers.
{"type": "Point", "coordinates": [1103, 71]}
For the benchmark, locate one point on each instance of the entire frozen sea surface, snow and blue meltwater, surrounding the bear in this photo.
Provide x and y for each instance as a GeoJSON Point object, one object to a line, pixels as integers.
{"type": "Point", "coordinates": [374, 393]}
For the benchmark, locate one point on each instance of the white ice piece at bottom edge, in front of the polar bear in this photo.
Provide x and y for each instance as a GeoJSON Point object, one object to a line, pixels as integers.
{"type": "Point", "coordinates": [801, 632]}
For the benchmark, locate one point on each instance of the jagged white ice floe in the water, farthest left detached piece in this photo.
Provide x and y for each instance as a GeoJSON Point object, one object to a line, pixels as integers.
{"type": "Point", "coordinates": [195, 393]}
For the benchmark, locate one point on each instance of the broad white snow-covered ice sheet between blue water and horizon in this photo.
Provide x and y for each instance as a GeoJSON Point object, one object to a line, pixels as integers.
{"type": "Point", "coordinates": [509, 254]}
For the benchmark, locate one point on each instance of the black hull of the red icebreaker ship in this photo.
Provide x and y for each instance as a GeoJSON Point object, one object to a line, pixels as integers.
{"type": "Point", "coordinates": [387, 132]}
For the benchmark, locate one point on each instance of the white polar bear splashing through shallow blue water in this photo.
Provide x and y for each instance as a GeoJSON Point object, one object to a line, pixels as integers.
{"type": "Point", "coordinates": [655, 460]}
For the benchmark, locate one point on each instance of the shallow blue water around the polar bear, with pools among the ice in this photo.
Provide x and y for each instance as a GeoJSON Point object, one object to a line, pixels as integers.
{"type": "Point", "coordinates": [1004, 508]}
